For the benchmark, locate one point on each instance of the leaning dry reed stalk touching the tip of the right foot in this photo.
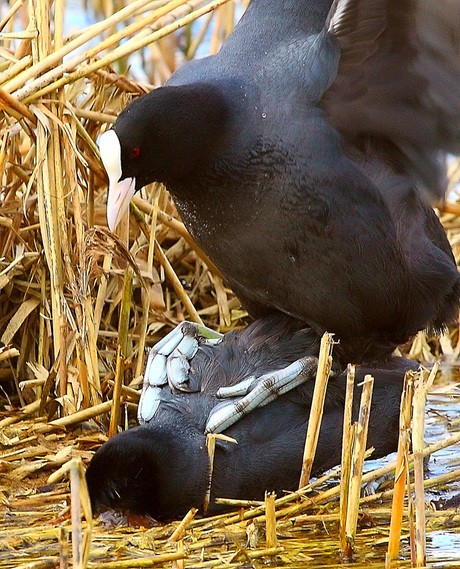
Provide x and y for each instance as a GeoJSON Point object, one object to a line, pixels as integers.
{"type": "Point", "coordinates": [317, 404]}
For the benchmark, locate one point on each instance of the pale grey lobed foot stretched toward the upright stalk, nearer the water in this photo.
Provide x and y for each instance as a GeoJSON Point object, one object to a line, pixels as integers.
{"type": "Point", "coordinates": [258, 392]}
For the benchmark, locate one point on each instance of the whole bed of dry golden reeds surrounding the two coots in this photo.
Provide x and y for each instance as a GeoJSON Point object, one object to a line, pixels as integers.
{"type": "Point", "coordinates": [79, 306]}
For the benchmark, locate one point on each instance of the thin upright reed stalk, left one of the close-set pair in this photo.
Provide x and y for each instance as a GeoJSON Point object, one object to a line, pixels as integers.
{"type": "Point", "coordinates": [347, 446]}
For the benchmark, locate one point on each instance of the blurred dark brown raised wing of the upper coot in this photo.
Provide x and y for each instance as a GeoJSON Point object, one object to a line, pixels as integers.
{"type": "Point", "coordinates": [398, 80]}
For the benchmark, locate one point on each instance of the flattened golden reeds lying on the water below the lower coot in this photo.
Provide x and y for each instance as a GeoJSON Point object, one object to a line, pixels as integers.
{"type": "Point", "coordinates": [303, 526]}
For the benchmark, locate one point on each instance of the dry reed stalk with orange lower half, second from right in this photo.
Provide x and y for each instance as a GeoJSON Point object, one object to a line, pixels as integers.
{"type": "Point", "coordinates": [401, 470]}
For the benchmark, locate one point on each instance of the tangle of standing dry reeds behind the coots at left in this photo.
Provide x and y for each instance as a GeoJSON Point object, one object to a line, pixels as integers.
{"type": "Point", "coordinates": [61, 286]}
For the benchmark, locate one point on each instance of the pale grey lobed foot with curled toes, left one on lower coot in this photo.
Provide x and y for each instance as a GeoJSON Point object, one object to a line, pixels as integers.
{"type": "Point", "coordinates": [168, 364]}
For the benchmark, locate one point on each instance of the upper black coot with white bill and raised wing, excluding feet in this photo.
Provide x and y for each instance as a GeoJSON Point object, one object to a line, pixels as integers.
{"type": "Point", "coordinates": [301, 157]}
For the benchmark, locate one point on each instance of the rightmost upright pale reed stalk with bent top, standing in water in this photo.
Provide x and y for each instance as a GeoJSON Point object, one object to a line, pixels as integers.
{"type": "Point", "coordinates": [422, 385]}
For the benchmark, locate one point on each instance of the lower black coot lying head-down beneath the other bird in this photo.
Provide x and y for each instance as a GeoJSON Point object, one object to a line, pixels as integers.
{"type": "Point", "coordinates": [161, 468]}
